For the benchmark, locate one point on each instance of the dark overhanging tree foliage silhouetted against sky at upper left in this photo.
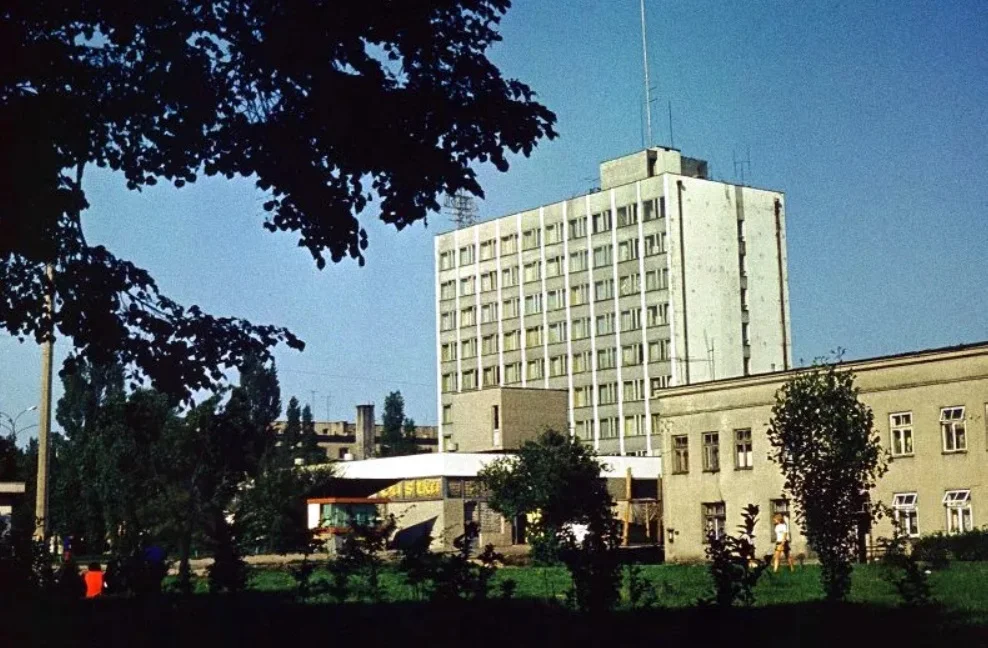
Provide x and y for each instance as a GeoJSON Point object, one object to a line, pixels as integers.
{"type": "Point", "coordinates": [334, 109]}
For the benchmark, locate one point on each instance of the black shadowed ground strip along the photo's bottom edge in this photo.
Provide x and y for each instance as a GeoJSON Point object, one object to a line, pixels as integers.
{"type": "Point", "coordinates": [260, 619]}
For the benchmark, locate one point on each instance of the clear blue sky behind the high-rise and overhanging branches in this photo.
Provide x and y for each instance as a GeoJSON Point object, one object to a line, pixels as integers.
{"type": "Point", "coordinates": [872, 116]}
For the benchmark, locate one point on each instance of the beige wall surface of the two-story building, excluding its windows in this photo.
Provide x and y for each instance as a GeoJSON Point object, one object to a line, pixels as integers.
{"type": "Point", "coordinates": [921, 383]}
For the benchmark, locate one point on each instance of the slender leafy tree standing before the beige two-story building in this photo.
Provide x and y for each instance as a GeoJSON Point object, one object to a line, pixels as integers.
{"type": "Point", "coordinates": [823, 438]}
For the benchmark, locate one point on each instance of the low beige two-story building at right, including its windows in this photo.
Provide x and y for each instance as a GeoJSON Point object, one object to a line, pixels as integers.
{"type": "Point", "coordinates": [930, 409]}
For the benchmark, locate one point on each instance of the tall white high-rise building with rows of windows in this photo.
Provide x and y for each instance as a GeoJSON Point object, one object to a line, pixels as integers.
{"type": "Point", "coordinates": [663, 277]}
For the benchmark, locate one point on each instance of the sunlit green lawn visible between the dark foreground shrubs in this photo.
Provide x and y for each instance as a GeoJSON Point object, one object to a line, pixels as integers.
{"type": "Point", "coordinates": [960, 588]}
